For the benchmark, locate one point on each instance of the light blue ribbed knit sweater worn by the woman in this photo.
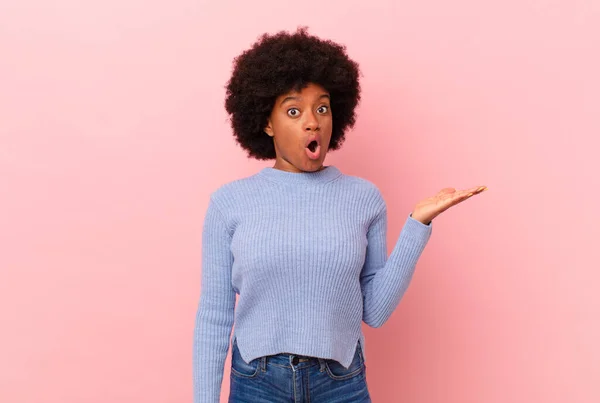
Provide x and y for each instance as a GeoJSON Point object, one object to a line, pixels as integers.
{"type": "Point", "coordinates": [306, 253]}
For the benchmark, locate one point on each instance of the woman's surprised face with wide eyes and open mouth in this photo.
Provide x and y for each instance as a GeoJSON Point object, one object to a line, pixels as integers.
{"type": "Point", "coordinates": [300, 125]}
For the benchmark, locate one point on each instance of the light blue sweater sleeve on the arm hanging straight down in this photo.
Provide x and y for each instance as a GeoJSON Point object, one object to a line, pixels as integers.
{"type": "Point", "coordinates": [215, 314]}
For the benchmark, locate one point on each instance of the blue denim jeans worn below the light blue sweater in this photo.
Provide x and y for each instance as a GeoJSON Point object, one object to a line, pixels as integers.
{"type": "Point", "coordinates": [287, 378]}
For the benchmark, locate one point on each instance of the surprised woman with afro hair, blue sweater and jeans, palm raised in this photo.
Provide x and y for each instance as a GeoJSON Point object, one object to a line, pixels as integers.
{"type": "Point", "coordinates": [302, 244]}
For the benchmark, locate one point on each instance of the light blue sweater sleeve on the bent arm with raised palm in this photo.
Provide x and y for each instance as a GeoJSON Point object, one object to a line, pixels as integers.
{"type": "Point", "coordinates": [384, 280]}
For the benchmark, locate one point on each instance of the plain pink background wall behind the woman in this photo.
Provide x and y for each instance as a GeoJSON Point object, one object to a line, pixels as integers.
{"type": "Point", "coordinates": [113, 133]}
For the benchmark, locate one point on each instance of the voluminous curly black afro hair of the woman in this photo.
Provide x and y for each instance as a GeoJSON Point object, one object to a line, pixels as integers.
{"type": "Point", "coordinates": [277, 64]}
